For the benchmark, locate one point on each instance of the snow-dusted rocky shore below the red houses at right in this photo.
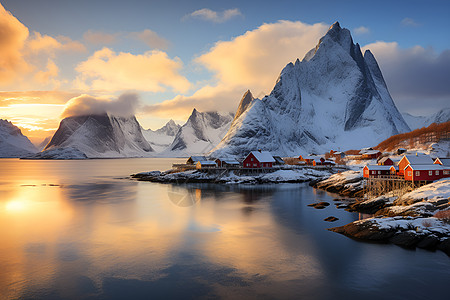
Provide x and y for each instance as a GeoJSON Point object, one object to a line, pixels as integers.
{"type": "Point", "coordinates": [419, 219]}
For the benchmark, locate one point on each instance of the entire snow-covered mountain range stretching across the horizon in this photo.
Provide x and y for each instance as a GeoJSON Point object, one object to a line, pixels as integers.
{"type": "Point", "coordinates": [335, 98]}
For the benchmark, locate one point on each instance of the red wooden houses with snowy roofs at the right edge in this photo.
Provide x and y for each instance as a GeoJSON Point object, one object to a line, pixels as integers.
{"type": "Point", "coordinates": [417, 167]}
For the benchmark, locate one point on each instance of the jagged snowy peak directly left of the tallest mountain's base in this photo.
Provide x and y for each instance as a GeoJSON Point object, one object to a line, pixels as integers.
{"type": "Point", "coordinates": [202, 132]}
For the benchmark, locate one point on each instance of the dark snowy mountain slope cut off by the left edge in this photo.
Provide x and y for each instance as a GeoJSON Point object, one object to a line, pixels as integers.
{"type": "Point", "coordinates": [12, 142]}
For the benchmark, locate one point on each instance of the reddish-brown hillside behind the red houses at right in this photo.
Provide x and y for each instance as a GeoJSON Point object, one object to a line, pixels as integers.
{"type": "Point", "coordinates": [431, 134]}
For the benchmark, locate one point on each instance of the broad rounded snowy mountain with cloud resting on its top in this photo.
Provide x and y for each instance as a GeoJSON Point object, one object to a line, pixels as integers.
{"type": "Point", "coordinates": [97, 136]}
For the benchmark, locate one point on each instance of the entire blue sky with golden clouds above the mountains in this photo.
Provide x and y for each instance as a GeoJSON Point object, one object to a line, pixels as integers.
{"type": "Point", "coordinates": [161, 59]}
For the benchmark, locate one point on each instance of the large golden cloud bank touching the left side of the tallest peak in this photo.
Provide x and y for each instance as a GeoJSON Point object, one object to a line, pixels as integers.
{"type": "Point", "coordinates": [250, 61]}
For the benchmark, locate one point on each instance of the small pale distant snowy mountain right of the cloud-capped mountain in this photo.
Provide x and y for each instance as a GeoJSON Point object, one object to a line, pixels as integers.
{"type": "Point", "coordinates": [162, 138]}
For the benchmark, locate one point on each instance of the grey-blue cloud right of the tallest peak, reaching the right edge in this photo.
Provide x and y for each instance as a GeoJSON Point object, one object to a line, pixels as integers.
{"type": "Point", "coordinates": [417, 77]}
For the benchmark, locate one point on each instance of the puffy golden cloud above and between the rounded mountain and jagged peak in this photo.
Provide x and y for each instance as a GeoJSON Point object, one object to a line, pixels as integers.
{"type": "Point", "coordinates": [152, 71]}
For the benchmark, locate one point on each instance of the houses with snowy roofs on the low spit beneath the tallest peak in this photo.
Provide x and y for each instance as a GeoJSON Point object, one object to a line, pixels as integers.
{"type": "Point", "coordinates": [253, 160]}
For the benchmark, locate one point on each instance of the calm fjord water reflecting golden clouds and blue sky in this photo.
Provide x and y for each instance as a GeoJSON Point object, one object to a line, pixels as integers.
{"type": "Point", "coordinates": [78, 230]}
